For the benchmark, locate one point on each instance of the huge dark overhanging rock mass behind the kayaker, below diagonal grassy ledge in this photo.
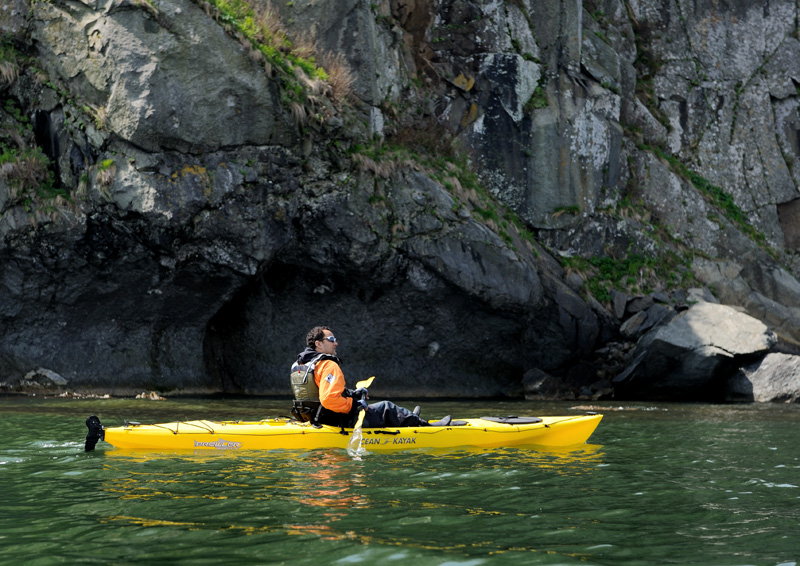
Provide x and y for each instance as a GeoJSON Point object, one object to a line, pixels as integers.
{"type": "Point", "coordinates": [201, 252]}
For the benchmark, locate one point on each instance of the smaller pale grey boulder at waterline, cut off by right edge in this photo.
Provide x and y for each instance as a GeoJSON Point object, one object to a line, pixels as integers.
{"type": "Point", "coordinates": [774, 379]}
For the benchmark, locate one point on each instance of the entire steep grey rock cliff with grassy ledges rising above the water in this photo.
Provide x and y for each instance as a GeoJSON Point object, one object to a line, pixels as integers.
{"type": "Point", "coordinates": [467, 192]}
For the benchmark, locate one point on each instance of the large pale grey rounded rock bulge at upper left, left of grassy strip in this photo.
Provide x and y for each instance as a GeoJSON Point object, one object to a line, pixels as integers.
{"type": "Point", "coordinates": [165, 76]}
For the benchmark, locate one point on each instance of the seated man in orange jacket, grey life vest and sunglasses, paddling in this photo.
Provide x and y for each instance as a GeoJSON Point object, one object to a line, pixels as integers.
{"type": "Point", "coordinates": [321, 396]}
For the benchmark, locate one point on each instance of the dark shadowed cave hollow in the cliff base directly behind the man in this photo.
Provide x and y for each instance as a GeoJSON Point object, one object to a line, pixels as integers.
{"type": "Point", "coordinates": [439, 342]}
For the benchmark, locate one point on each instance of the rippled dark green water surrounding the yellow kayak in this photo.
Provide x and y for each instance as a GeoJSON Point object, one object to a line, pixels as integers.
{"type": "Point", "coordinates": [659, 484]}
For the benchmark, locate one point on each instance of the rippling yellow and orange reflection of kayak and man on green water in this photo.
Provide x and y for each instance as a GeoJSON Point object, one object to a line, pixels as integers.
{"type": "Point", "coordinates": [324, 494]}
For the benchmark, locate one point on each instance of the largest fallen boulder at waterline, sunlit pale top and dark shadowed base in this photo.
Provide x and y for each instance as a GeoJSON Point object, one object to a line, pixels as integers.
{"type": "Point", "coordinates": [692, 355]}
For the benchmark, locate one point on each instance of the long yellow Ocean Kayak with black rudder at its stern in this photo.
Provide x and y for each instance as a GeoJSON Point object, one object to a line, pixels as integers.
{"type": "Point", "coordinates": [286, 434]}
